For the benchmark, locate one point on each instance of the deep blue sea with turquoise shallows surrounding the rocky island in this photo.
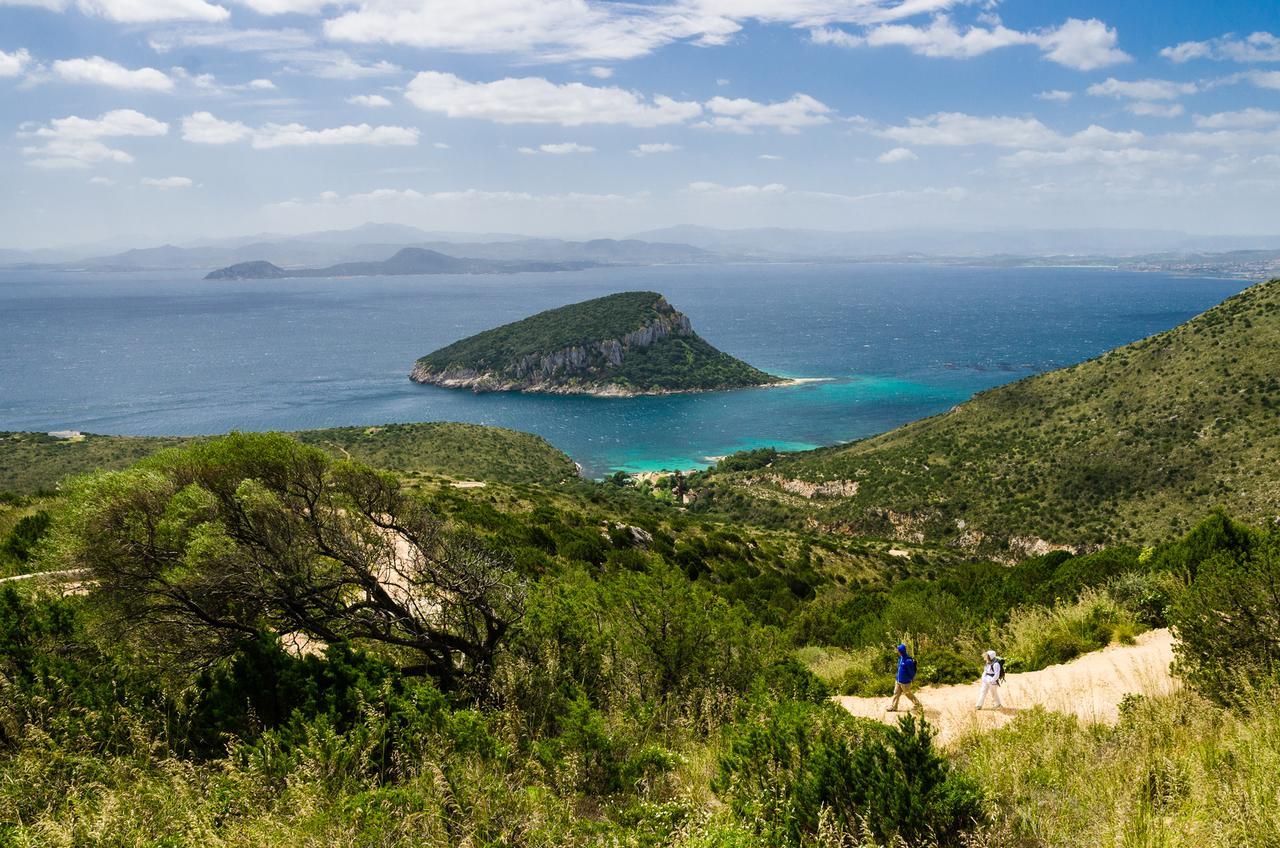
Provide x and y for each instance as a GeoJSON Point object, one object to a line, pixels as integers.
{"type": "Point", "coordinates": [171, 354]}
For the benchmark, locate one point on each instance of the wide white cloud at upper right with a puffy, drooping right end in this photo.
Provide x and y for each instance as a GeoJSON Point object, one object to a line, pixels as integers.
{"type": "Point", "coordinates": [1084, 45]}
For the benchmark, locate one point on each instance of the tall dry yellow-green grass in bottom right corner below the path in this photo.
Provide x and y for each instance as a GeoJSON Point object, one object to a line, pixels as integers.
{"type": "Point", "coordinates": [1177, 773]}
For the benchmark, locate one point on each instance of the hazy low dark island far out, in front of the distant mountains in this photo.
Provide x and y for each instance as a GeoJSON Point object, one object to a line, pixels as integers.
{"type": "Point", "coordinates": [410, 261]}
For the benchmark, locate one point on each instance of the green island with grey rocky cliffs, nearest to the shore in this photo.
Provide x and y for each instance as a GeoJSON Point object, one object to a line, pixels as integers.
{"type": "Point", "coordinates": [616, 347]}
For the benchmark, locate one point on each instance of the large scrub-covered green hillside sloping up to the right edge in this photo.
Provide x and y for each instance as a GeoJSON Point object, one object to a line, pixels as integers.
{"type": "Point", "coordinates": [1131, 446]}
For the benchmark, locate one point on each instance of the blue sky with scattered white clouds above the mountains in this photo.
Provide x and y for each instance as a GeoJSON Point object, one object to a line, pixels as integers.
{"type": "Point", "coordinates": [153, 121]}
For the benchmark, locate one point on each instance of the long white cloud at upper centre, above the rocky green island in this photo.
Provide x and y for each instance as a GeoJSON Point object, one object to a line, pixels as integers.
{"type": "Point", "coordinates": [540, 102]}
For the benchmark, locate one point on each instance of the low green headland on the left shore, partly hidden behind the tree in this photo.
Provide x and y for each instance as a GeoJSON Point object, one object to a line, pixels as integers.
{"type": "Point", "coordinates": [35, 462]}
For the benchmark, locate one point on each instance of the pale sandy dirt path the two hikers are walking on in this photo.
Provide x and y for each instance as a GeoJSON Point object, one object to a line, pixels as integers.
{"type": "Point", "coordinates": [1090, 687]}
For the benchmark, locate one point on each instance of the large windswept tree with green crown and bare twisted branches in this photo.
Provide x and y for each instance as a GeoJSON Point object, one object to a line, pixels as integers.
{"type": "Point", "coordinates": [202, 549]}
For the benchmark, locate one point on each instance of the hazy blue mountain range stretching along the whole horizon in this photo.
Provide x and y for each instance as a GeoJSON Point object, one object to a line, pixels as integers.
{"type": "Point", "coordinates": [673, 245]}
